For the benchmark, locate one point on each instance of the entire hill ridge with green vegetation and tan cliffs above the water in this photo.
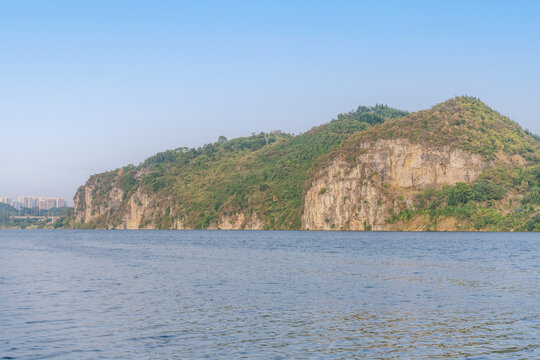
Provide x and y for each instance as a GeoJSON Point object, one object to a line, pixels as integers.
{"type": "Point", "coordinates": [457, 166]}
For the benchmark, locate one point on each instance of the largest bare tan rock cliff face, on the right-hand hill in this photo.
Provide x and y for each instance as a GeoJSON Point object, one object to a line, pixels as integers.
{"type": "Point", "coordinates": [363, 192]}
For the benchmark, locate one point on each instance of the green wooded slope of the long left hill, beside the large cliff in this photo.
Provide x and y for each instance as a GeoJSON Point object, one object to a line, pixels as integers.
{"type": "Point", "coordinates": [264, 173]}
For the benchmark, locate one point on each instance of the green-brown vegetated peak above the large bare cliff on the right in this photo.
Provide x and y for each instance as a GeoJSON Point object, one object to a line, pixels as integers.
{"type": "Point", "coordinates": [463, 122]}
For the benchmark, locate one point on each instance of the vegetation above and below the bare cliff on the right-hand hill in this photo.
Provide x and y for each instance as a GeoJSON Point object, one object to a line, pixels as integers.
{"type": "Point", "coordinates": [505, 197]}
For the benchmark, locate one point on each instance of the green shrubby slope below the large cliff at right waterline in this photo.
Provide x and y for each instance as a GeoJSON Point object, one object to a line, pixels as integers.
{"type": "Point", "coordinates": [501, 199]}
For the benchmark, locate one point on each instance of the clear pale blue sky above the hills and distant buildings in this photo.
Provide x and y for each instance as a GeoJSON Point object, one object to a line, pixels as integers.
{"type": "Point", "coordinates": [89, 86]}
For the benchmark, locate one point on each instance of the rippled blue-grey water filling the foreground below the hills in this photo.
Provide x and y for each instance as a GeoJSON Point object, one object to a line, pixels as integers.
{"type": "Point", "coordinates": [228, 294]}
